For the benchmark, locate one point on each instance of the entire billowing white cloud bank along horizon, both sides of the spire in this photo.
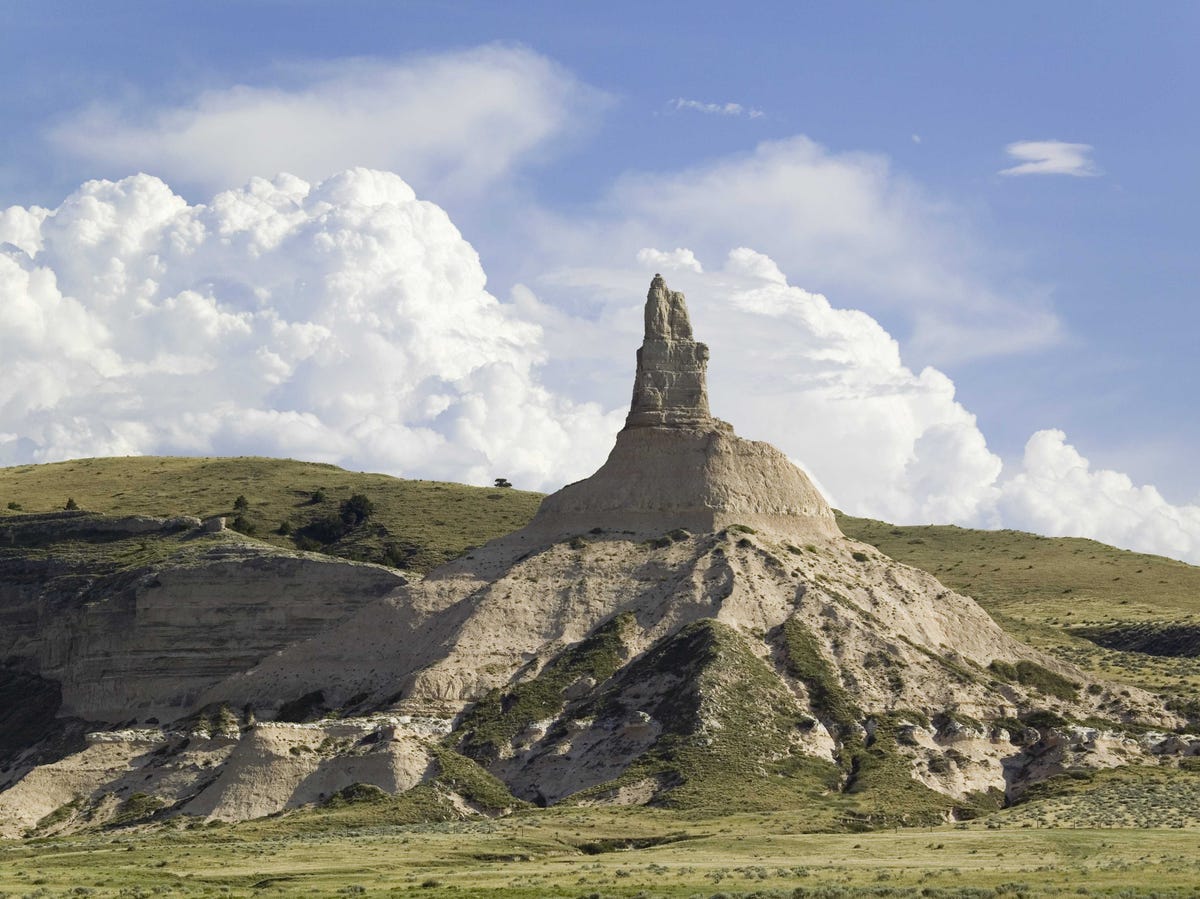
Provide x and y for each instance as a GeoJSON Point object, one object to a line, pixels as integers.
{"type": "Point", "coordinates": [350, 322]}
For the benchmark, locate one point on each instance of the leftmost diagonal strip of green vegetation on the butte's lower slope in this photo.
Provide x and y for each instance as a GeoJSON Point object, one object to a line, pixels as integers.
{"type": "Point", "coordinates": [502, 715]}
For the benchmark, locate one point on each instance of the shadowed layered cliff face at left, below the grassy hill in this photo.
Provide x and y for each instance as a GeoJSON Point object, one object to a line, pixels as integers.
{"type": "Point", "coordinates": [133, 620]}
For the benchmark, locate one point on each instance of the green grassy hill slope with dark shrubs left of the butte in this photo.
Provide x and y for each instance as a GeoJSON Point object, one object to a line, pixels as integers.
{"type": "Point", "coordinates": [416, 525]}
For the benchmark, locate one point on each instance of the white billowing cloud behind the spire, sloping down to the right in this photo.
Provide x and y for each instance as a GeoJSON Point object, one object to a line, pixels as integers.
{"type": "Point", "coordinates": [830, 387]}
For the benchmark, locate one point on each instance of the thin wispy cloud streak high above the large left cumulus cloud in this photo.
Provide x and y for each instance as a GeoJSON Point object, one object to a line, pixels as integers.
{"type": "Point", "coordinates": [455, 122]}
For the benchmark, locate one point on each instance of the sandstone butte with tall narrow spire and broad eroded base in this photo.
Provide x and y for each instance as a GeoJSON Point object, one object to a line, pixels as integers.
{"type": "Point", "coordinates": [687, 615]}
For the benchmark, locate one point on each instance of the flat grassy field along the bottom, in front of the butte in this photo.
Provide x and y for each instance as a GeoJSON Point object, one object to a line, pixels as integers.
{"type": "Point", "coordinates": [610, 853]}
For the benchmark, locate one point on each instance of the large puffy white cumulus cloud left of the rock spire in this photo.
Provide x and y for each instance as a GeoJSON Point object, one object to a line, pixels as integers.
{"type": "Point", "coordinates": [345, 322]}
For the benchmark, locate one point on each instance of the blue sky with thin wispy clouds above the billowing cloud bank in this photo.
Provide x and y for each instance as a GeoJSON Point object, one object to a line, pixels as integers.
{"type": "Point", "coordinates": [1066, 299]}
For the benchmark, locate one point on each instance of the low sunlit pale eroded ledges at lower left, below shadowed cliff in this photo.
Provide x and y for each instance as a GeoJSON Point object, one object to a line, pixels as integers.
{"type": "Point", "coordinates": [259, 770]}
